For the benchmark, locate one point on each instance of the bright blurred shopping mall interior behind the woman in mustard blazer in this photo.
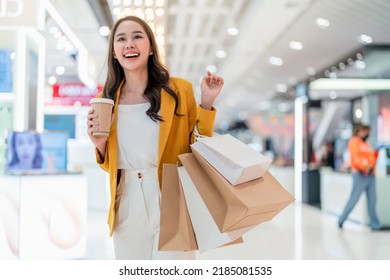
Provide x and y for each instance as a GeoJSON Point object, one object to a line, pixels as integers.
{"type": "Point", "coordinates": [298, 76]}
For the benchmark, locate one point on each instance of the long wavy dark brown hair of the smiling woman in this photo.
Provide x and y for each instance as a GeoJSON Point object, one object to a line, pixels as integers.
{"type": "Point", "coordinates": [158, 75]}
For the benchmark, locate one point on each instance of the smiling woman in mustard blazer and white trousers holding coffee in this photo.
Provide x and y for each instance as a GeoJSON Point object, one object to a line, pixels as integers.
{"type": "Point", "coordinates": [152, 123]}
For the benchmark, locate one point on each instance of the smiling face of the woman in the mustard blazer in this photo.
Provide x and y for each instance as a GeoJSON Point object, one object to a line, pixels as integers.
{"type": "Point", "coordinates": [131, 46]}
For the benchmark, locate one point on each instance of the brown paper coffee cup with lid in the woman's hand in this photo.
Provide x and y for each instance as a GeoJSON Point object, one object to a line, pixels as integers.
{"type": "Point", "coordinates": [103, 108]}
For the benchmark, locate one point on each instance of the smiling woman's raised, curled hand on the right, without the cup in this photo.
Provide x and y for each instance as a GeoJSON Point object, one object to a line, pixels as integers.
{"type": "Point", "coordinates": [210, 87]}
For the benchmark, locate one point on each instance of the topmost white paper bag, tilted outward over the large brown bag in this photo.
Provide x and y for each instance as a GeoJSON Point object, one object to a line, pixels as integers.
{"type": "Point", "coordinates": [234, 159]}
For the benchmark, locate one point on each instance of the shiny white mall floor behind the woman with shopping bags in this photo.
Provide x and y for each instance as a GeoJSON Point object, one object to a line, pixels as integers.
{"type": "Point", "coordinates": [298, 232]}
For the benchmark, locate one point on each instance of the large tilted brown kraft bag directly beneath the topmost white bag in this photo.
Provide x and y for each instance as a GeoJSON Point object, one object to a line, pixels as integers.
{"type": "Point", "coordinates": [235, 207]}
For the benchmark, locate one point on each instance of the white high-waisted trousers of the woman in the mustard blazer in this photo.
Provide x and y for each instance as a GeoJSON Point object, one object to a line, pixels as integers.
{"type": "Point", "coordinates": [137, 223]}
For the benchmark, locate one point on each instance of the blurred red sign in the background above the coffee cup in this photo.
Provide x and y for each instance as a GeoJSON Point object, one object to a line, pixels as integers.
{"type": "Point", "coordinates": [67, 94]}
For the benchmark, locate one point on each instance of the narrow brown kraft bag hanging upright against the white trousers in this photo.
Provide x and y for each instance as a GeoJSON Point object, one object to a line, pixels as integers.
{"type": "Point", "coordinates": [176, 232]}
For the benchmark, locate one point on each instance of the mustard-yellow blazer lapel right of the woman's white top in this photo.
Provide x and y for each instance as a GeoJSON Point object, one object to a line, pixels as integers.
{"type": "Point", "coordinates": [167, 110]}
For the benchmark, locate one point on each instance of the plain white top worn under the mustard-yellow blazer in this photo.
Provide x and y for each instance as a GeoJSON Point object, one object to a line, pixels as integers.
{"type": "Point", "coordinates": [137, 137]}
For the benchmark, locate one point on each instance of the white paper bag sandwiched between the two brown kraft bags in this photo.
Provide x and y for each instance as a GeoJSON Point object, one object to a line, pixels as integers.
{"type": "Point", "coordinates": [208, 236]}
